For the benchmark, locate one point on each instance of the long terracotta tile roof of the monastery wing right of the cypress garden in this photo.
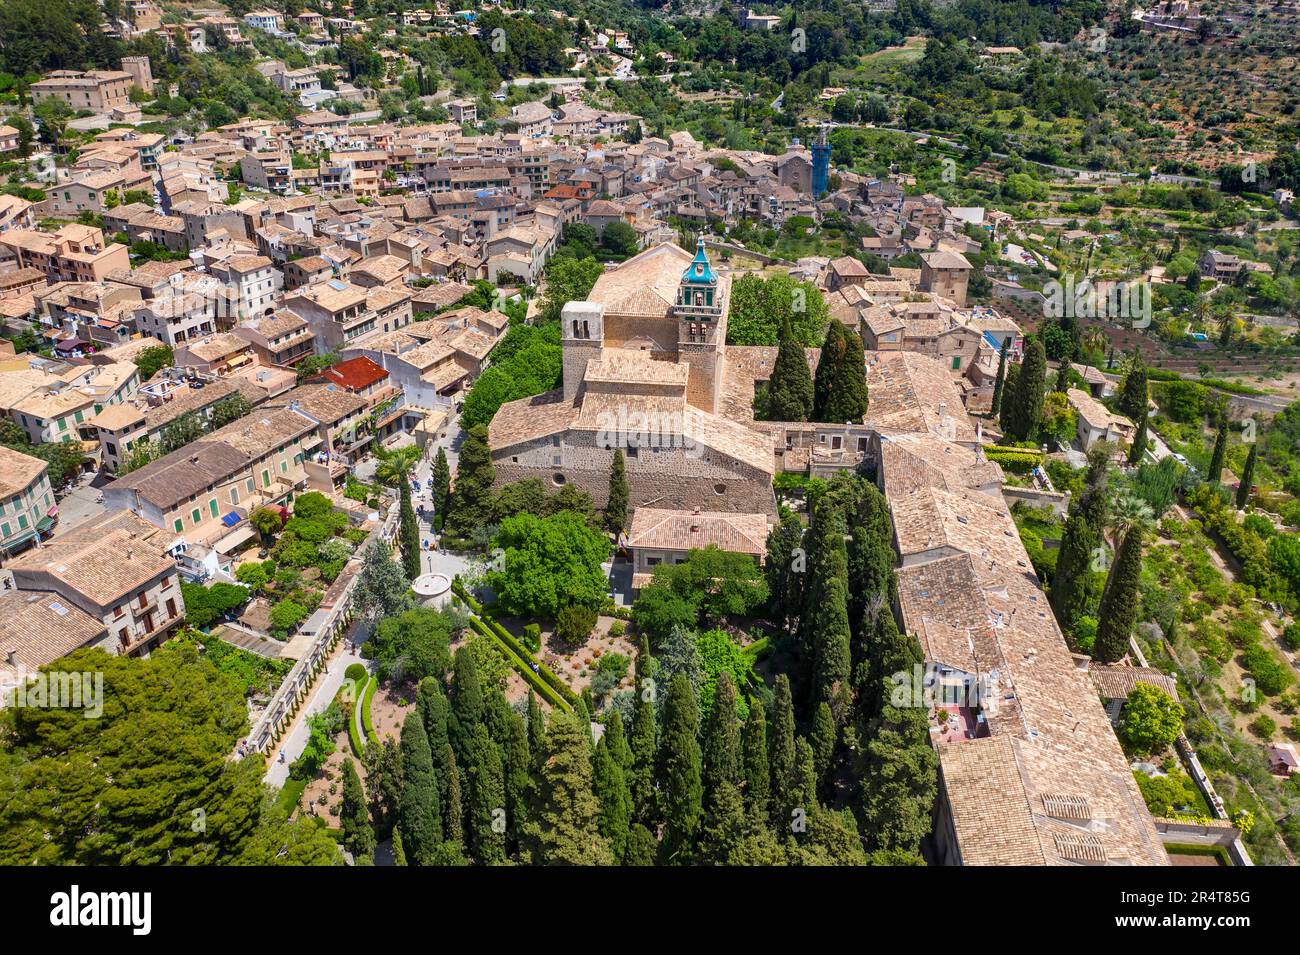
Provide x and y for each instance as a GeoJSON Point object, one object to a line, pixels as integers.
{"type": "Point", "coordinates": [1050, 784]}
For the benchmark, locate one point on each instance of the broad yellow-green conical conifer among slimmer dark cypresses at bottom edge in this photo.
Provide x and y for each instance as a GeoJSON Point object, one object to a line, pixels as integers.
{"type": "Point", "coordinates": [565, 828]}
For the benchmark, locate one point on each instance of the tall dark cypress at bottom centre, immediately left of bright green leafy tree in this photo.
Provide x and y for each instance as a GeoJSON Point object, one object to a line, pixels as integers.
{"type": "Point", "coordinates": [679, 774]}
